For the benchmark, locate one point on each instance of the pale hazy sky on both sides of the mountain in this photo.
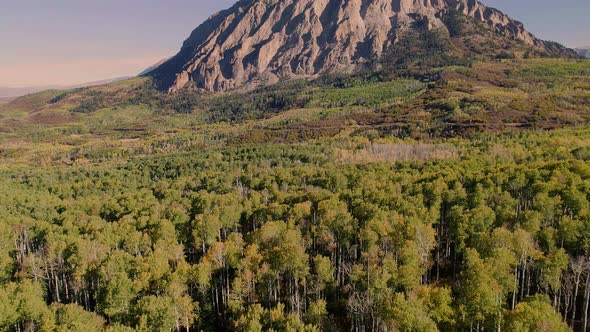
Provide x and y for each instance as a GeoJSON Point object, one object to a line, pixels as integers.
{"type": "Point", "coordinates": [64, 42]}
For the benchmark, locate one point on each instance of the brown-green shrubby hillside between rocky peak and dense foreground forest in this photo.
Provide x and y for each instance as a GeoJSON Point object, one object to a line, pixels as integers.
{"type": "Point", "coordinates": [446, 102]}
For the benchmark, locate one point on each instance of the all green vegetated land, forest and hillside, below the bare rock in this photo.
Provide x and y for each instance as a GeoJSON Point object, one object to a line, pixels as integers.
{"type": "Point", "coordinates": [410, 199]}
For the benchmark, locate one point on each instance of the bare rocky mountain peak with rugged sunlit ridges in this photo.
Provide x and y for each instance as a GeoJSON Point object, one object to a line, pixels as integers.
{"type": "Point", "coordinates": [264, 41]}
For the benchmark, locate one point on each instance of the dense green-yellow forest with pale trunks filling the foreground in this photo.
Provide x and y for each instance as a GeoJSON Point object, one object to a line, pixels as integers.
{"type": "Point", "coordinates": [280, 238]}
